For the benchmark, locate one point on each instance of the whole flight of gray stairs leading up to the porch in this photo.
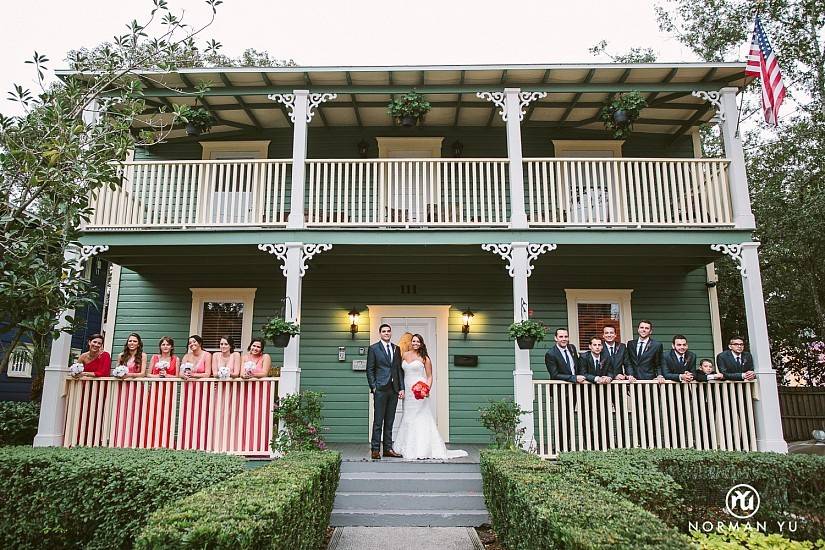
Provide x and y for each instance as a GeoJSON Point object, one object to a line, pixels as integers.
{"type": "Point", "coordinates": [393, 493]}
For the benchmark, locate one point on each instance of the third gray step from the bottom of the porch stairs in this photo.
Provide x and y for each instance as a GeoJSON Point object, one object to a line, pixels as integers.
{"type": "Point", "coordinates": [405, 482]}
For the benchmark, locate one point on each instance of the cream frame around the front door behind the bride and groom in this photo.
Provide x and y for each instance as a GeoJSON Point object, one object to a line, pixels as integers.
{"type": "Point", "coordinates": [442, 317]}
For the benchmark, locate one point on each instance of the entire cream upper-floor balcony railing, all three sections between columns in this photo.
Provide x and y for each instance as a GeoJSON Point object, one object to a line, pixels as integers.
{"type": "Point", "coordinates": [420, 193]}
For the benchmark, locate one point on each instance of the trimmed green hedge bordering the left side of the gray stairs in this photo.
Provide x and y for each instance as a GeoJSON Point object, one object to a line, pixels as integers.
{"type": "Point", "coordinates": [285, 504]}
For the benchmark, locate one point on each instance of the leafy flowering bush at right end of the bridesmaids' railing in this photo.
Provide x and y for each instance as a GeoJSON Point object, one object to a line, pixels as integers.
{"type": "Point", "coordinates": [301, 416]}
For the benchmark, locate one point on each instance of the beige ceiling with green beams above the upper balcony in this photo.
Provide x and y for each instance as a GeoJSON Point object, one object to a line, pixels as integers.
{"type": "Point", "coordinates": [576, 93]}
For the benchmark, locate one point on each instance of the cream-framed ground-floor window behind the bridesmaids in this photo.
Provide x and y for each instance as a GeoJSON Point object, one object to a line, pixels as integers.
{"type": "Point", "coordinates": [220, 312]}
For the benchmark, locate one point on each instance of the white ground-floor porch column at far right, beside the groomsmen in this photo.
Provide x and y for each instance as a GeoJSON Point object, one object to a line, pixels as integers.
{"type": "Point", "coordinates": [768, 420]}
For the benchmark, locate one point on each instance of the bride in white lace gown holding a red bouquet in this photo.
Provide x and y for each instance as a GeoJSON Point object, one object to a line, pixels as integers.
{"type": "Point", "coordinates": [418, 435]}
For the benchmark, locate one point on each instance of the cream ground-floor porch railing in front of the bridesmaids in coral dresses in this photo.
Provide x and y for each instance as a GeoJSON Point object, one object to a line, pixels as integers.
{"type": "Point", "coordinates": [223, 416]}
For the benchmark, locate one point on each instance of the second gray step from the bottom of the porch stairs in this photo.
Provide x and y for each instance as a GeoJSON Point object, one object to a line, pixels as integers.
{"type": "Point", "coordinates": [409, 501]}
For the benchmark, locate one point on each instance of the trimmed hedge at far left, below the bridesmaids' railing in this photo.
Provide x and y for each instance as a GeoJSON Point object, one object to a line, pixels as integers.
{"type": "Point", "coordinates": [95, 498]}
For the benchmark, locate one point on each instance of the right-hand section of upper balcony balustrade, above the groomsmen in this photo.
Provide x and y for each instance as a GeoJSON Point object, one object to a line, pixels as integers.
{"type": "Point", "coordinates": [628, 192]}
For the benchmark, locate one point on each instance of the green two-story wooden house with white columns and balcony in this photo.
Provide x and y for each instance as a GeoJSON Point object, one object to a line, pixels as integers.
{"type": "Point", "coordinates": [510, 197]}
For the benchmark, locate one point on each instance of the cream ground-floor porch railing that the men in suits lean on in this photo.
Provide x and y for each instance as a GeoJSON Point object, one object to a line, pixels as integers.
{"type": "Point", "coordinates": [584, 417]}
